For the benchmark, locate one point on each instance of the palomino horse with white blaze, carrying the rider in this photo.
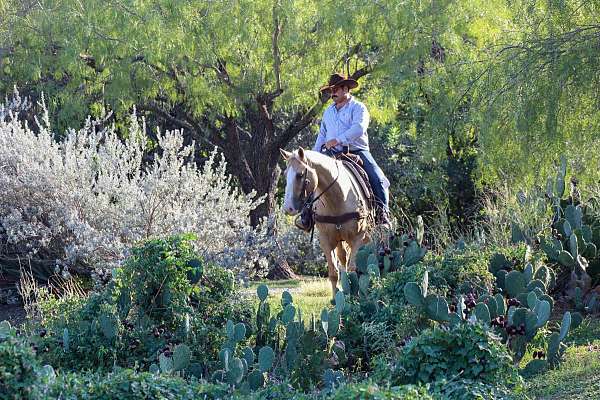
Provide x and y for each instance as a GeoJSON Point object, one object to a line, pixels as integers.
{"type": "Point", "coordinates": [340, 209]}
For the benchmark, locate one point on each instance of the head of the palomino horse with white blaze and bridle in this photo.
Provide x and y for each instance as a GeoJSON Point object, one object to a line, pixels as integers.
{"type": "Point", "coordinates": [301, 180]}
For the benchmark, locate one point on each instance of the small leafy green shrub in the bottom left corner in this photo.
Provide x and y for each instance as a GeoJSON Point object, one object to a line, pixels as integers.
{"type": "Point", "coordinates": [18, 365]}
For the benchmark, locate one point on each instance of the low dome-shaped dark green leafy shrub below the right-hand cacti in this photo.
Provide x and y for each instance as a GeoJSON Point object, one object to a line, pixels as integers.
{"type": "Point", "coordinates": [468, 351]}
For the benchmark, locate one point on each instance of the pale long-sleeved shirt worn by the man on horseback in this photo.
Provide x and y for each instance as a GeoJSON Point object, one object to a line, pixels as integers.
{"type": "Point", "coordinates": [348, 125]}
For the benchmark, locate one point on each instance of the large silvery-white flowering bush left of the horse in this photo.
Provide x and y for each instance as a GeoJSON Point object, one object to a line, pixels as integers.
{"type": "Point", "coordinates": [87, 198]}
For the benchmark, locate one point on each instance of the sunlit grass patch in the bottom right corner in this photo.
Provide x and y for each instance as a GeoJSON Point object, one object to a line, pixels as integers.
{"type": "Point", "coordinates": [578, 377]}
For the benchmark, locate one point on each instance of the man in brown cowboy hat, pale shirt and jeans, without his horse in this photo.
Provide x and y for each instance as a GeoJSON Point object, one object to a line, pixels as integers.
{"type": "Point", "coordinates": [344, 128]}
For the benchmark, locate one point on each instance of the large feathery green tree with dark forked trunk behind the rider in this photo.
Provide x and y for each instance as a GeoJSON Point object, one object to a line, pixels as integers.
{"type": "Point", "coordinates": [239, 75]}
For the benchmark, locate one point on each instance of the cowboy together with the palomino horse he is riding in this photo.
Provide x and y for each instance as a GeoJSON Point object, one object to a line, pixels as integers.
{"type": "Point", "coordinates": [325, 193]}
